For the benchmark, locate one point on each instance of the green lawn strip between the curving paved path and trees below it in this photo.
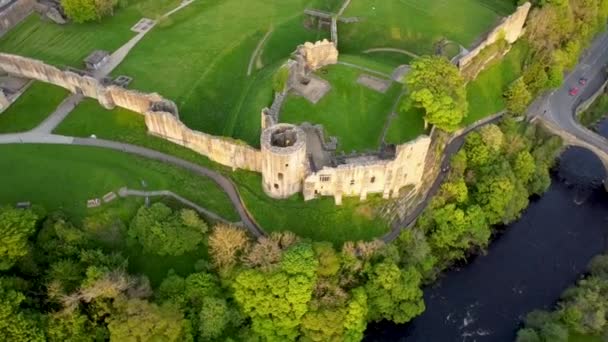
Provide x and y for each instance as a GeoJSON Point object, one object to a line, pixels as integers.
{"type": "Point", "coordinates": [64, 177]}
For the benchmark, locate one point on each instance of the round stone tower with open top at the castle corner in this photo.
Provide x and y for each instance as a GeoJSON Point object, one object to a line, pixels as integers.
{"type": "Point", "coordinates": [284, 163]}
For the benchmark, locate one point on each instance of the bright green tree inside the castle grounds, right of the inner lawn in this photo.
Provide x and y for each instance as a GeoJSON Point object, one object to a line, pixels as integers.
{"type": "Point", "coordinates": [436, 86]}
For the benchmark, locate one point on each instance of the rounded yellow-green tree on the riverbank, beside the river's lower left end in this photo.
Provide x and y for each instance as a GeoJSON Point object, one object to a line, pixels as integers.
{"type": "Point", "coordinates": [394, 294]}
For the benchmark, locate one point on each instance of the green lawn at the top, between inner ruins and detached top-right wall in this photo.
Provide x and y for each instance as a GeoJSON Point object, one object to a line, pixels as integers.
{"type": "Point", "coordinates": [416, 25]}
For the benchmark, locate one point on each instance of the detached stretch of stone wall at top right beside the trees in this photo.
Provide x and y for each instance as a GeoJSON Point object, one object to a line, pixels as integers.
{"type": "Point", "coordinates": [510, 28]}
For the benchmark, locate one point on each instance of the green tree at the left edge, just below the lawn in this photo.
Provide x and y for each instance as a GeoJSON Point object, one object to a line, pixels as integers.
{"type": "Point", "coordinates": [16, 226]}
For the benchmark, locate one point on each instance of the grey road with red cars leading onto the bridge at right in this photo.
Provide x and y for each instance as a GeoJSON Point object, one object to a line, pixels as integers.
{"type": "Point", "coordinates": [557, 109]}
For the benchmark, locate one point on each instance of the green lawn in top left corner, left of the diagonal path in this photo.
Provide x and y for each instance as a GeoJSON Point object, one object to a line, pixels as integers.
{"type": "Point", "coordinates": [69, 44]}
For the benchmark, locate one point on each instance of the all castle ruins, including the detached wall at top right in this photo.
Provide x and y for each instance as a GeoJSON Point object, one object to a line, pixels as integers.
{"type": "Point", "coordinates": [292, 159]}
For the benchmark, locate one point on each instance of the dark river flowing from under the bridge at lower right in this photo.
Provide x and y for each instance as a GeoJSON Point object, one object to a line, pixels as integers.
{"type": "Point", "coordinates": [526, 268]}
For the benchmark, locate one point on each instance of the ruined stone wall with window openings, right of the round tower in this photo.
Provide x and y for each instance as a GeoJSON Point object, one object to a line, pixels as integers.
{"type": "Point", "coordinates": [368, 175]}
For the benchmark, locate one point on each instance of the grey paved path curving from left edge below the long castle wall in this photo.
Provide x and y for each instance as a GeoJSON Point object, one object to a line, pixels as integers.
{"type": "Point", "coordinates": [223, 182]}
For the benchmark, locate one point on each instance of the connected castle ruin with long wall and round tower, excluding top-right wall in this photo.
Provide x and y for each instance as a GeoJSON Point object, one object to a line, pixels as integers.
{"type": "Point", "coordinates": [284, 160]}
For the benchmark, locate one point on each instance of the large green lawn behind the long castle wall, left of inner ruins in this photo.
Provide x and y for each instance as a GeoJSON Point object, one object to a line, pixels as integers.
{"type": "Point", "coordinates": [201, 61]}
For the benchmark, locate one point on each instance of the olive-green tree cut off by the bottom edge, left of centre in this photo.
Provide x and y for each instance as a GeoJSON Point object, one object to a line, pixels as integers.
{"type": "Point", "coordinates": [138, 320]}
